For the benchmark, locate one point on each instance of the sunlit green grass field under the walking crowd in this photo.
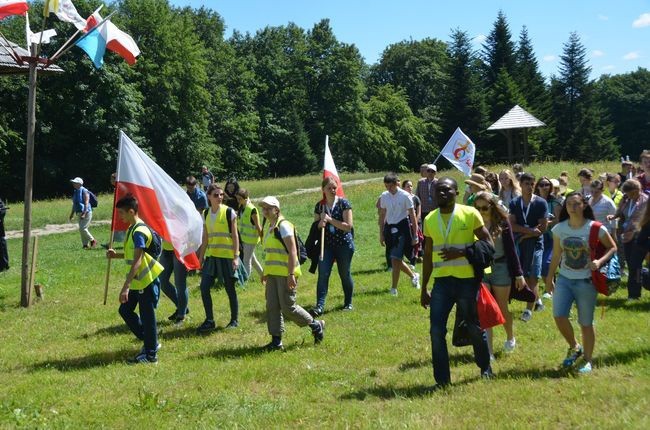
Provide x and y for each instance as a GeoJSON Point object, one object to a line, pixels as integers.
{"type": "Point", "coordinates": [62, 361]}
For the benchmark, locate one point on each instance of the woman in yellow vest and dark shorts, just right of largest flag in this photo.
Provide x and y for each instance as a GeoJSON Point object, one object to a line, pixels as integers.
{"type": "Point", "coordinates": [220, 248]}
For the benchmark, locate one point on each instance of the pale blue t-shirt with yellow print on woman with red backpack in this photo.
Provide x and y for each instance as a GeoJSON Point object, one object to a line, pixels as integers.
{"type": "Point", "coordinates": [576, 254]}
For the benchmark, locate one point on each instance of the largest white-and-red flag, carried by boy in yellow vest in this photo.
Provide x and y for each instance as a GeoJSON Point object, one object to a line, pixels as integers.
{"type": "Point", "coordinates": [162, 204]}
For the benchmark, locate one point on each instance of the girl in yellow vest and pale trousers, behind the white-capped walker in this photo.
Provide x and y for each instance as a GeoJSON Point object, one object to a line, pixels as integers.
{"type": "Point", "coordinates": [250, 231]}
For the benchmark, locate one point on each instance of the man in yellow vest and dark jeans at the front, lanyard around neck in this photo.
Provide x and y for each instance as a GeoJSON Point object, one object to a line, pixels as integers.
{"type": "Point", "coordinates": [448, 231]}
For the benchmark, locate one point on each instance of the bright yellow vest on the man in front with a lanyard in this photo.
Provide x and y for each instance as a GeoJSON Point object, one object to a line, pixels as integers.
{"type": "Point", "coordinates": [461, 235]}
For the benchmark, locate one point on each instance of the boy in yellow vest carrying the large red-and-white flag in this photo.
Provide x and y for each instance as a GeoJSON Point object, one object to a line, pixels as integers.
{"type": "Point", "coordinates": [141, 287]}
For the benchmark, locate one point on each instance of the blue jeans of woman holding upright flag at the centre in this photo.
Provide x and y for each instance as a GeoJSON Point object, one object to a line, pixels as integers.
{"type": "Point", "coordinates": [343, 256]}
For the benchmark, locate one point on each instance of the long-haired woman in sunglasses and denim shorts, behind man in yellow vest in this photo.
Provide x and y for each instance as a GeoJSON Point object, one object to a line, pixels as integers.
{"type": "Point", "coordinates": [506, 267]}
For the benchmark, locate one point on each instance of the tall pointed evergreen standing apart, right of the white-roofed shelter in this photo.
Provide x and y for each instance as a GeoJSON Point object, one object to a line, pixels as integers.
{"type": "Point", "coordinates": [582, 130]}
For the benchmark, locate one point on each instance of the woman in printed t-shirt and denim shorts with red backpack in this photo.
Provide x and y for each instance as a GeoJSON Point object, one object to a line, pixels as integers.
{"type": "Point", "coordinates": [572, 254]}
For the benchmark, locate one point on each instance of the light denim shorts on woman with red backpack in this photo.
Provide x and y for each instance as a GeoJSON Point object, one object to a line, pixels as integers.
{"type": "Point", "coordinates": [580, 291]}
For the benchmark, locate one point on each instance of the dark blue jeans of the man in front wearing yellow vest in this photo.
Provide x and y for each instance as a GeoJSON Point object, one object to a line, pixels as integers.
{"type": "Point", "coordinates": [446, 292]}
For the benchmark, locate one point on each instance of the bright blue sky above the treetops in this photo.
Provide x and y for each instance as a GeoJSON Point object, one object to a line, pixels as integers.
{"type": "Point", "coordinates": [616, 34]}
